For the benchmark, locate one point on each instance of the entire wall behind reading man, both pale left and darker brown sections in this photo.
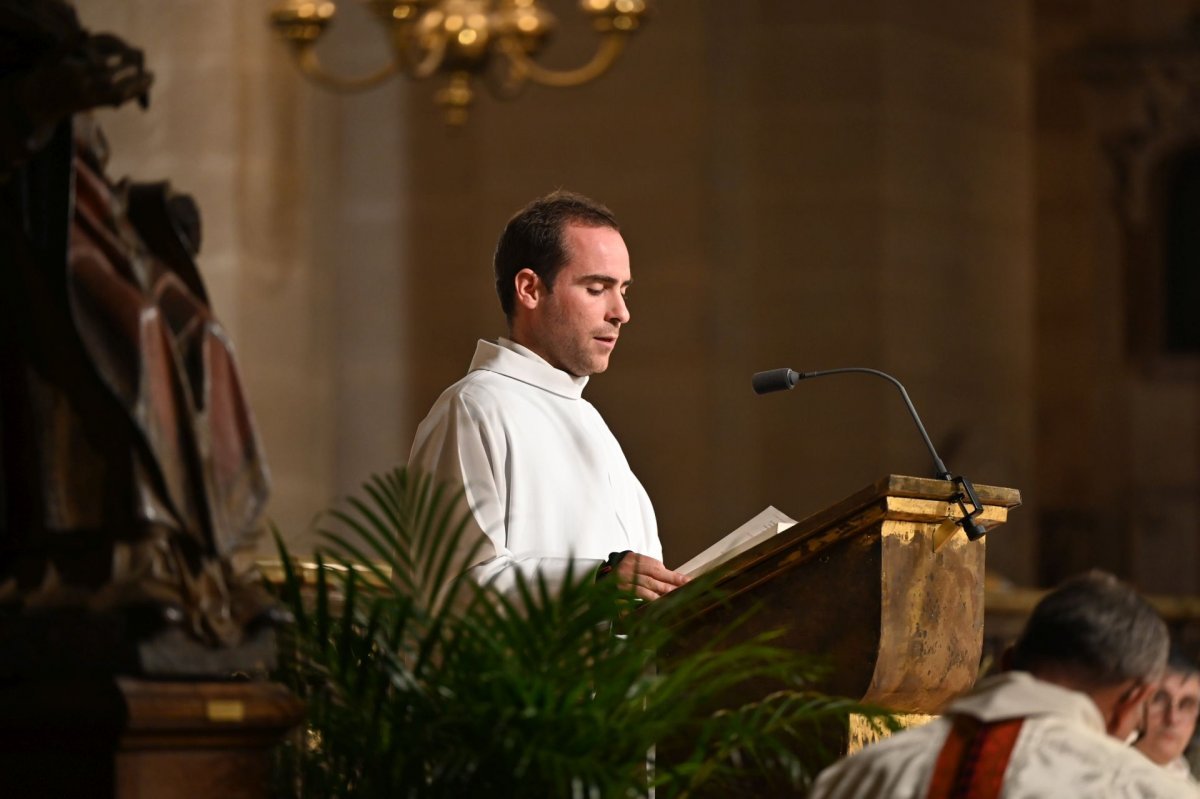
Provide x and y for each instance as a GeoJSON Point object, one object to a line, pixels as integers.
{"type": "Point", "coordinates": [801, 184]}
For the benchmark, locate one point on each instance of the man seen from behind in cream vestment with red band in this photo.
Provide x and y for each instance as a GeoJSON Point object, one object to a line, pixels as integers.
{"type": "Point", "coordinates": [1053, 725]}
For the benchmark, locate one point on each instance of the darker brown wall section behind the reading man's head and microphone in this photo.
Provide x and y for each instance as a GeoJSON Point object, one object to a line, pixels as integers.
{"type": "Point", "coordinates": [802, 184]}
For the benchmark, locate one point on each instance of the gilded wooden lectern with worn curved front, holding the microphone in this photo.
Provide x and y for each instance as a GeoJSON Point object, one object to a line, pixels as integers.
{"type": "Point", "coordinates": [862, 585]}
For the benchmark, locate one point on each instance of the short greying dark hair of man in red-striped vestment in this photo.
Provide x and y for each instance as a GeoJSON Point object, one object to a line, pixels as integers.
{"type": "Point", "coordinates": [1099, 628]}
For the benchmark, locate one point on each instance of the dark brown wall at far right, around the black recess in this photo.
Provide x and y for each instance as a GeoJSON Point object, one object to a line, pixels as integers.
{"type": "Point", "coordinates": [1119, 431]}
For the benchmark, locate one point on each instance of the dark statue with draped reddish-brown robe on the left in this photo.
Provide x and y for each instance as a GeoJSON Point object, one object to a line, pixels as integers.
{"type": "Point", "coordinates": [130, 468]}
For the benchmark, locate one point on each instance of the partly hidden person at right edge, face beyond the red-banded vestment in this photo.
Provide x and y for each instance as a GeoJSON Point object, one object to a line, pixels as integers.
{"type": "Point", "coordinates": [1172, 717]}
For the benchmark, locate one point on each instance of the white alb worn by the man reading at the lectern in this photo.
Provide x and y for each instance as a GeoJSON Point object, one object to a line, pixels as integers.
{"type": "Point", "coordinates": [547, 483]}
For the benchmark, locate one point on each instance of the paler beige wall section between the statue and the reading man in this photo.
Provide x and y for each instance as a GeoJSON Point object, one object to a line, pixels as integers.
{"type": "Point", "coordinates": [298, 191]}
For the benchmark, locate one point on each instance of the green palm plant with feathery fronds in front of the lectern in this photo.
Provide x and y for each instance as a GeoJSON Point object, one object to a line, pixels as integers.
{"type": "Point", "coordinates": [419, 684]}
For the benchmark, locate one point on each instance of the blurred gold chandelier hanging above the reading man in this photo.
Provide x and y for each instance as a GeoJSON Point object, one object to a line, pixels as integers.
{"type": "Point", "coordinates": [494, 41]}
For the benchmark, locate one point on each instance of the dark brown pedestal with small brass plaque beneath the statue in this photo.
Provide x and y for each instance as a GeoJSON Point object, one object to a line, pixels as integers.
{"type": "Point", "coordinates": [127, 738]}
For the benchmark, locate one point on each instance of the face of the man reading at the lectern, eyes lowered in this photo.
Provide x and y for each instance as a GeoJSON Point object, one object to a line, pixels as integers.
{"type": "Point", "coordinates": [575, 327]}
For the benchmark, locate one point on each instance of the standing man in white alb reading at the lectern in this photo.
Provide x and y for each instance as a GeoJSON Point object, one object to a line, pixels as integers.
{"type": "Point", "coordinates": [548, 485]}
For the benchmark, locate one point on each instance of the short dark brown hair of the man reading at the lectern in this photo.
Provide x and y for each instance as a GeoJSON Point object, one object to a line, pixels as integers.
{"type": "Point", "coordinates": [535, 239]}
